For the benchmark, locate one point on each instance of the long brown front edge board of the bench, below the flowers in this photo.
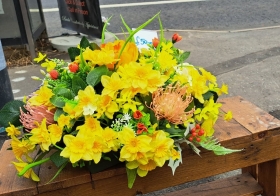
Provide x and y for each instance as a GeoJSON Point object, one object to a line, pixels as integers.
{"type": "Point", "coordinates": [193, 168]}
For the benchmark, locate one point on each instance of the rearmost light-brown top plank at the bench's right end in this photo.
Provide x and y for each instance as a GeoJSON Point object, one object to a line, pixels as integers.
{"type": "Point", "coordinates": [250, 116]}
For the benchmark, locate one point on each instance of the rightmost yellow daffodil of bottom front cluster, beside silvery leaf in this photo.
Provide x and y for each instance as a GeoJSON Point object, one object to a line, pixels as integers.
{"type": "Point", "coordinates": [161, 147]}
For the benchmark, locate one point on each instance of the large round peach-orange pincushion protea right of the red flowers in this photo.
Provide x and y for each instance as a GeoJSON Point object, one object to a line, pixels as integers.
{"type": "Point", "coordinates": [170, 103]}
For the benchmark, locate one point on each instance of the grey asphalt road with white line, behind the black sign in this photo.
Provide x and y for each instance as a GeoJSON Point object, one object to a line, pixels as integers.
{"type": "Point", "coordinates": [214, 15]}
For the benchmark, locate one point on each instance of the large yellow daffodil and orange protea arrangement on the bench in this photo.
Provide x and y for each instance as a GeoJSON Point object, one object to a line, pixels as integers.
{"type": "Point", "coordinates": [137, 105]}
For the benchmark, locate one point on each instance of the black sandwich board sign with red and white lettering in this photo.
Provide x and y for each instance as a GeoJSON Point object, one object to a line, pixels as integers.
{"type": "Point", "coordinates": [82, 16]}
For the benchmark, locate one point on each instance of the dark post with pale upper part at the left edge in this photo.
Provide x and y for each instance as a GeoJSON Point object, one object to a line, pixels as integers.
{"type": "Point", "coordinates": [6, 93]}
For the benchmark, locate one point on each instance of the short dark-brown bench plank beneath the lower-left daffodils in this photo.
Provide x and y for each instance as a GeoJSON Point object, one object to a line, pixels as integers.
{"type": "Point", "coordinates": [69, 177]}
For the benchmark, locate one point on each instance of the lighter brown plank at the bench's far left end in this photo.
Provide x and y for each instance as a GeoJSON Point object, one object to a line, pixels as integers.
{"type": "Point", "coordinates": [10, 183]}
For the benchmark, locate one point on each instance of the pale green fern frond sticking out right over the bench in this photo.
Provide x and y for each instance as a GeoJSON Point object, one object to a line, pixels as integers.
{"type": "Point", "coordinates": [212, 144]}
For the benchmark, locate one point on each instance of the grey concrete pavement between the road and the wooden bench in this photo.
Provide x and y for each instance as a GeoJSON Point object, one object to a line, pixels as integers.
{"type": "Point", "coordinates": [248, 61]}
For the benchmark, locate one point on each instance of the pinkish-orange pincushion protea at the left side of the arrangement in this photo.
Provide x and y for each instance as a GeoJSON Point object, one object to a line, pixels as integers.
{"type": "Point", "coordinates": [36, 114]}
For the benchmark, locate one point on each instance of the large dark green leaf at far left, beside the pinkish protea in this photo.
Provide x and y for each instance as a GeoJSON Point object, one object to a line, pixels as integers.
{"type": "Point", "coordinates": [10, 113]}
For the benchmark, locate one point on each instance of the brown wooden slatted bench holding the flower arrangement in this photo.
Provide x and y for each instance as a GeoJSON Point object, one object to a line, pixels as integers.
{"type": "Point", "coordinates": [251, 129]}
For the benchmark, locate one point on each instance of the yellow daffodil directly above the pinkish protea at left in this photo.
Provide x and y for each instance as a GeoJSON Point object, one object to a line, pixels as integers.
{"type": "Point", "coordinates": [42, 97]}
